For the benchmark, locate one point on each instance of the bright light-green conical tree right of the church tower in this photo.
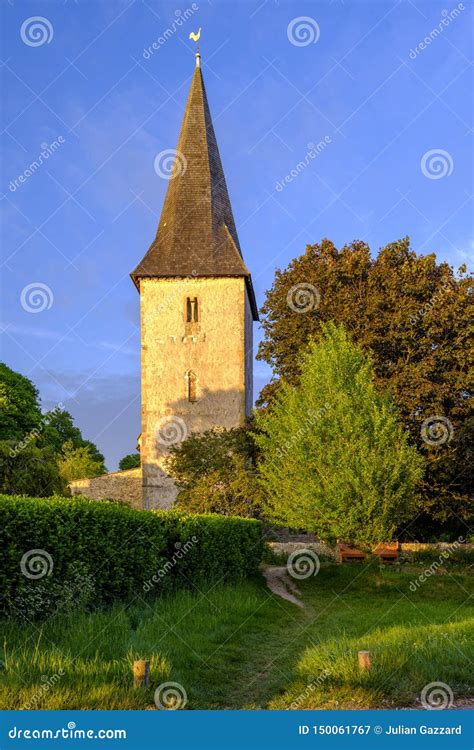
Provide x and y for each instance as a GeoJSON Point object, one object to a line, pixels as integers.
{"type": "Point", "coordinates": [335, 459]}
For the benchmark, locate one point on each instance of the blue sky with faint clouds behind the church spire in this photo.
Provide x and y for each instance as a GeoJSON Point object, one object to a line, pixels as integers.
{"type": "Point", "coordinates": [395, 118]}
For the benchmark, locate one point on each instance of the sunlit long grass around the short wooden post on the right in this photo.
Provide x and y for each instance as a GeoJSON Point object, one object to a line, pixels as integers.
{"type": "Point", "coordinates": [405, 659]}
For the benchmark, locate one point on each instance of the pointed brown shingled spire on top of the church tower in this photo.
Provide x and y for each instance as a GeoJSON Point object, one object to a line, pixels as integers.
{"type": "Point", "coordinates": [196, 234]}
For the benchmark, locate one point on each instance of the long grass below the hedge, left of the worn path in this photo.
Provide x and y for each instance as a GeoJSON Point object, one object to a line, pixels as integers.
{"type": "Point", "coordinates": [187, 639]}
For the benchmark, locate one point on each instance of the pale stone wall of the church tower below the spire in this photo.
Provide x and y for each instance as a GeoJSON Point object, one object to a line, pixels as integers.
{"type": "Point", "coordinates": [214, 349]}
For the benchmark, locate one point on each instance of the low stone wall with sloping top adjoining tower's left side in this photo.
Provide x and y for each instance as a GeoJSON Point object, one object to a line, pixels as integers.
{"type": "Point", "coordinates": [118, 485]}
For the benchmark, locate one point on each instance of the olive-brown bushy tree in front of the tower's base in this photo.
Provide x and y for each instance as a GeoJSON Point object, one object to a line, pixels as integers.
{"type": "Point", "coordinates": [215, 472]}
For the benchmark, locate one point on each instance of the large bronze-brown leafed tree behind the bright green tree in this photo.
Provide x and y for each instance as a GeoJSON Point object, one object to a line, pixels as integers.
{"type": "Point", "coordinates": [415, 318]}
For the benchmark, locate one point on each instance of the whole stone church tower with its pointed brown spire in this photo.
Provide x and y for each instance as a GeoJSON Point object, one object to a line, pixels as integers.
{"type": "Point", "coordinates": [197, 306]}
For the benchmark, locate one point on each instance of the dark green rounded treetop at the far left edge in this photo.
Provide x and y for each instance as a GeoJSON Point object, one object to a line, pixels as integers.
{"type": "Point", "coordinates": [19, 406]}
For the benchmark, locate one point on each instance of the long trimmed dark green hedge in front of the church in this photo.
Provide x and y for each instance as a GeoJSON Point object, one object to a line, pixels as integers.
{"type": "Point", "coordinates": [105, 551]}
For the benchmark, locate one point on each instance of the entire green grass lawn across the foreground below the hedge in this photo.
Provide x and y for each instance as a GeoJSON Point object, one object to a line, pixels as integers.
{"type": "Point", "coordinates": [242, 647]}
